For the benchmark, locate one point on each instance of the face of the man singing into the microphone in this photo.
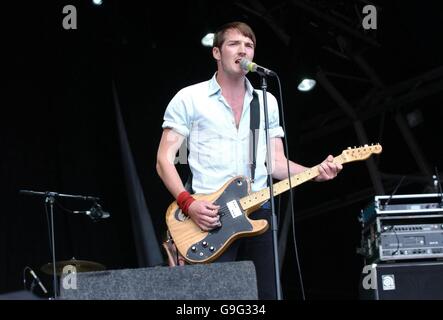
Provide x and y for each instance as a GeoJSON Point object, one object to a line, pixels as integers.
{"type": "Point", "coordinates": [235, 47]}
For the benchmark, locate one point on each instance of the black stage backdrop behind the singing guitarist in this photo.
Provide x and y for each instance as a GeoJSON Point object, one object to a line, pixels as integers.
{"type": "Point", "coordinates": [59, 130]}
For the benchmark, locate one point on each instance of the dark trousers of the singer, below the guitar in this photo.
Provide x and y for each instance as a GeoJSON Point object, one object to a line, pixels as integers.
{"type": "Point", "coordinates": [259, 250]}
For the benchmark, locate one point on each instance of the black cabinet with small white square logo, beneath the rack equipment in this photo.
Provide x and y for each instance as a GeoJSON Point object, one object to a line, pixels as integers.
{"type": "Point", "coordinates": [402, 281]}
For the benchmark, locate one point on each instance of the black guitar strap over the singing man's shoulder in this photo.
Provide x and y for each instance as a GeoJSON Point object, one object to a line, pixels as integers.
{"type": "Point", "coordinates": [254, 112]}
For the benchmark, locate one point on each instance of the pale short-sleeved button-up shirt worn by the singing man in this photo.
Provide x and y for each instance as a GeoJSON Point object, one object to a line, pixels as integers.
{"type": "Point", "coordinates": [218, 150]}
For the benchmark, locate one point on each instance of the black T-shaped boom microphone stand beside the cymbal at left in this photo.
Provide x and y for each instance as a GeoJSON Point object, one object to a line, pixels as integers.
{"type": "Point", "coordinates": [50, 198]}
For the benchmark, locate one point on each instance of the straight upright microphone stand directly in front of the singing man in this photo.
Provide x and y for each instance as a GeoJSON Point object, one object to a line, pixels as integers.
{"type": "Point", "coordinates": [274, 224]}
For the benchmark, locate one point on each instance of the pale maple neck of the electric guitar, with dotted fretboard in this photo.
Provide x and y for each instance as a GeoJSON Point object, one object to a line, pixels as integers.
{"type": "Point", "coordinates": [261, 196]}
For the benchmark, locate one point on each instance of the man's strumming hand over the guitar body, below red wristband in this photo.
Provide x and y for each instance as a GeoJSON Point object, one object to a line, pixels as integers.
{"type": "Point", "coordinates": [204, 214]}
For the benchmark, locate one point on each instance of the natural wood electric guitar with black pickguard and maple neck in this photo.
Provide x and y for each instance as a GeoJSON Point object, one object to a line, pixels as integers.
{"type": "Point", "coordinates": [236, 203]}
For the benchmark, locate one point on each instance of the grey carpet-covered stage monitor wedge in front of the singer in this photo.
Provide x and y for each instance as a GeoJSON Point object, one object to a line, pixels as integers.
{"type": "Point", "coordinates": [215, 281]}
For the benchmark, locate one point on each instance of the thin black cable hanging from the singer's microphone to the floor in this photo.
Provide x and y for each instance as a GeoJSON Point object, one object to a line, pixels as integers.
{"type": "Point", "coordinates": [297, 260]}
